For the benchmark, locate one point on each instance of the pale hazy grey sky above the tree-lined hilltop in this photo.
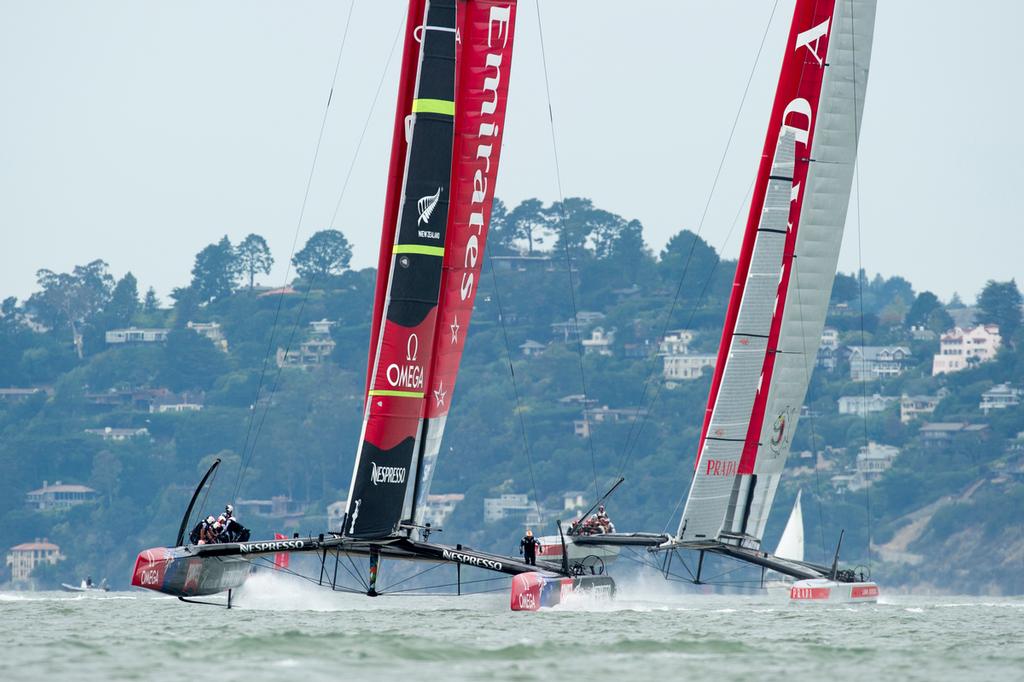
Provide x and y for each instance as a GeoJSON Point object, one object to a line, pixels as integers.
{"type": "Point", "coordinates": [139, 133]}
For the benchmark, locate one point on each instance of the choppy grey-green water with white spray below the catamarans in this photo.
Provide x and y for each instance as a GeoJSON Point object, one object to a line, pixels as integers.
{"type": "Point", "coordinates": [284, 630]}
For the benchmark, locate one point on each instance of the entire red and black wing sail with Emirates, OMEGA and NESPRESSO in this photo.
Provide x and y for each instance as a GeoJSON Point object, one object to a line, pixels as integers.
{"type": "Point", "coordinates": [445, 156]}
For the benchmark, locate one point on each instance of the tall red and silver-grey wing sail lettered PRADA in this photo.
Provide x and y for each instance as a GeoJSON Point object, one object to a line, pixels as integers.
{"type": "Point", "coordinates": [785, 274]}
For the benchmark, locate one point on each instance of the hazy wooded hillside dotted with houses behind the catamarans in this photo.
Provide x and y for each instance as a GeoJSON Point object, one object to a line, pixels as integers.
{"type": "Point", "coordinates": [134, 398]}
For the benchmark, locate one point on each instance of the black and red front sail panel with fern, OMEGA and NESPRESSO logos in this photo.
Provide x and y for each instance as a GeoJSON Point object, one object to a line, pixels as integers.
{"type": "Point", "coordinates": [381, 493]}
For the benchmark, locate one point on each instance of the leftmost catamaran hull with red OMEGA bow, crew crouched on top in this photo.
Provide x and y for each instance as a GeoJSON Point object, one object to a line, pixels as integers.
{"type": "Point", "coordinates": [178, 573]}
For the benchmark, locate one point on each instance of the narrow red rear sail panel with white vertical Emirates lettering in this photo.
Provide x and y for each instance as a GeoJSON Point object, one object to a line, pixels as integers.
{"type": "Point", "coordinates": [486, 58]}
